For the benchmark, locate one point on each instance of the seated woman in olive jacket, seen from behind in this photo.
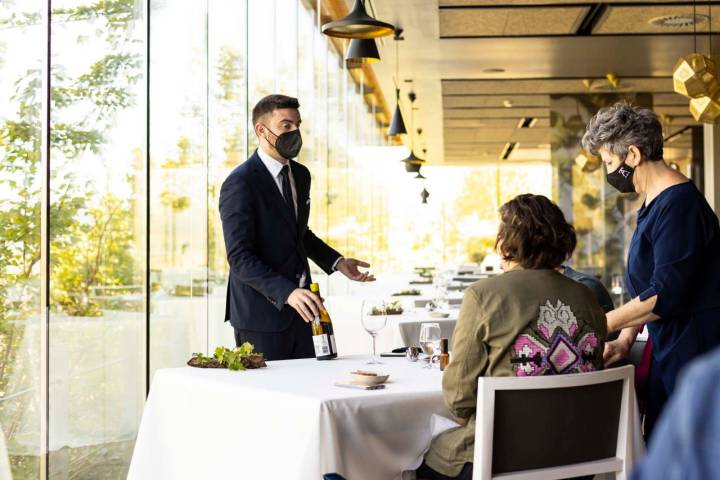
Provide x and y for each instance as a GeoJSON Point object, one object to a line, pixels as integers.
{"type": "Point", "coordinates": [531, 320]}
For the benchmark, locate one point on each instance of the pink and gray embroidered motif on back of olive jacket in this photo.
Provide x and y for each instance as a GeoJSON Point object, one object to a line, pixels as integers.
{"type": "Point", "coordinates": [554, 344]}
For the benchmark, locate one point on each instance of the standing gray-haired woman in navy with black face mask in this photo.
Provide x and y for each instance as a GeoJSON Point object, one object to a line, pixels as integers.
{"type": "Point", "coordinates": [673, 269]}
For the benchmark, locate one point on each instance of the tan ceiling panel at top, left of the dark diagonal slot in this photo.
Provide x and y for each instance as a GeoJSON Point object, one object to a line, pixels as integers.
{"type": "Point", "coordinates": [495, 22]}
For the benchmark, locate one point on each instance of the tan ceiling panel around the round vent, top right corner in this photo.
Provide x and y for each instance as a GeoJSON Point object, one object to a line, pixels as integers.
{"type": "Point", "coordinates": [637, 19]}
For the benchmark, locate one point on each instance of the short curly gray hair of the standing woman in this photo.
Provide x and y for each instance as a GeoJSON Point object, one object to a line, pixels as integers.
{"type": "Point", "coordinates": [618, 127]}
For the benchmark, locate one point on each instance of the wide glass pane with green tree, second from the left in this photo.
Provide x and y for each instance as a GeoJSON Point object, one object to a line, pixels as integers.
{"type": "Point", "coordinates": [97, 234]}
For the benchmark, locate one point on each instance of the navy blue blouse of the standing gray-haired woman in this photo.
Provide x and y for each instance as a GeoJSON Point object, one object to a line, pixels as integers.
{"type": "Point", "coordinates": [675, 254]}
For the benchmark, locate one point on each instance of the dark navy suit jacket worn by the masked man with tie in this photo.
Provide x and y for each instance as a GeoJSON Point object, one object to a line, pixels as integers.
{"type": "Point", "coordinates": [267, 248]}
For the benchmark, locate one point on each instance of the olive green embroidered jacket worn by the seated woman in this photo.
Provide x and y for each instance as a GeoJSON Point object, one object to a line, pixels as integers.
{"type": "Point", "coordinates": [520, 323]}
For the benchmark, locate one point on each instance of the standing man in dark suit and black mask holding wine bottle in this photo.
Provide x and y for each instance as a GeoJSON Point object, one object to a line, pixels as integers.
{"type": "Point", "coordinates": [264, 207]}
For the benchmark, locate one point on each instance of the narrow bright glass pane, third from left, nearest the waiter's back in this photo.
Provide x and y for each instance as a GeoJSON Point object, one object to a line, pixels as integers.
{"type": "Point", "coordinates": [178, 176]}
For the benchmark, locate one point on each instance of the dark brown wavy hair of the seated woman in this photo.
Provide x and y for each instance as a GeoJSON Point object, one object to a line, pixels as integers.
{"type": "Point", "coordinates": [533, 232]}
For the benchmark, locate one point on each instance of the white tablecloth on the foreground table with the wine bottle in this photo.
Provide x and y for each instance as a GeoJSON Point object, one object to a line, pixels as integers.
{"type": "Point", "coordinates": [287, 421]}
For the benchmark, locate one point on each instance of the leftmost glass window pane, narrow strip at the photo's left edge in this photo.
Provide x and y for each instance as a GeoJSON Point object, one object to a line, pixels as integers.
{"type": "Point", "coordinates": [22, 40]}
